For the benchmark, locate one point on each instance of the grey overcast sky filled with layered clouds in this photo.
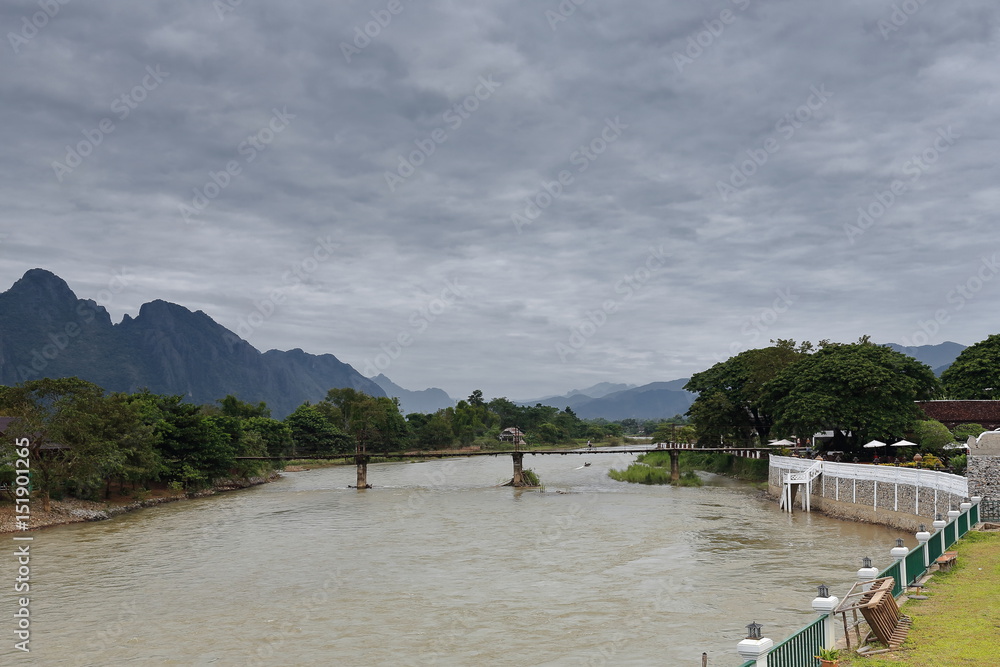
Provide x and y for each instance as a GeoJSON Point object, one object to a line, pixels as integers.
{"type": "Point", "coordinates": [390, 171]}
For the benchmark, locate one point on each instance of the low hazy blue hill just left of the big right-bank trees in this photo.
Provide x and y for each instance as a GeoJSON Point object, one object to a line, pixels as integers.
{"type": "Point", "coordinates": [657, 400]}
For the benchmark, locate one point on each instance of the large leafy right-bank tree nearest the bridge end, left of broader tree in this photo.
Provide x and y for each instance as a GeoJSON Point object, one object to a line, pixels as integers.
{"type": "Point", "coordinates": [731, 401]}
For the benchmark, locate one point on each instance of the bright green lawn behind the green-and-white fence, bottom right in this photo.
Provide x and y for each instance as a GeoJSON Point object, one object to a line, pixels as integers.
{"type": "Point", "coordinates": [957, 624]}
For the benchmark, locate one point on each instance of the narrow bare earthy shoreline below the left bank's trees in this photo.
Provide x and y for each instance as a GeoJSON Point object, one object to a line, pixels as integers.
{"type": "Point", "coordinates": [72, 510]}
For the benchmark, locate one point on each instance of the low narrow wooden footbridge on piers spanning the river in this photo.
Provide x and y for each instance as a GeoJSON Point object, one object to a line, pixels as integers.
{"type": "Point", "coordinates": [362, 458]}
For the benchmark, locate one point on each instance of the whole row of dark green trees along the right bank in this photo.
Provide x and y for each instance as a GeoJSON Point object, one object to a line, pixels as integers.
{"type": "Point", "coordinates": [858, 391]}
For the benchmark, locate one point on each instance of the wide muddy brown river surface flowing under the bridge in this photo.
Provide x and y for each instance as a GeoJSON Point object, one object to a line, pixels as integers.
{"type": "Point", "coordinates": [436, 566]}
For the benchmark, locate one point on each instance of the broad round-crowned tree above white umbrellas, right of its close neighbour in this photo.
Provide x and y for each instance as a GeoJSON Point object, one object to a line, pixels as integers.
{"type": "Point", "coordinates": [859, 391]}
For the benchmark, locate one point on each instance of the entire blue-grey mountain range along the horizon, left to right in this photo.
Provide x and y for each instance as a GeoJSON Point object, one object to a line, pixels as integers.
{"type": "Point", "coordinates": [46, 331]}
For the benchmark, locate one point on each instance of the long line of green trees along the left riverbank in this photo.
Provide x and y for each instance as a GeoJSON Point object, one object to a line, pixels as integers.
{"type": "Point", "coordinates": [87, 442]}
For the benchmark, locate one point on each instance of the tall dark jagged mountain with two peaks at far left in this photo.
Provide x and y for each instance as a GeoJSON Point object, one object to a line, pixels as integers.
{"type": "Point", "coordinates": [46, 331]}
